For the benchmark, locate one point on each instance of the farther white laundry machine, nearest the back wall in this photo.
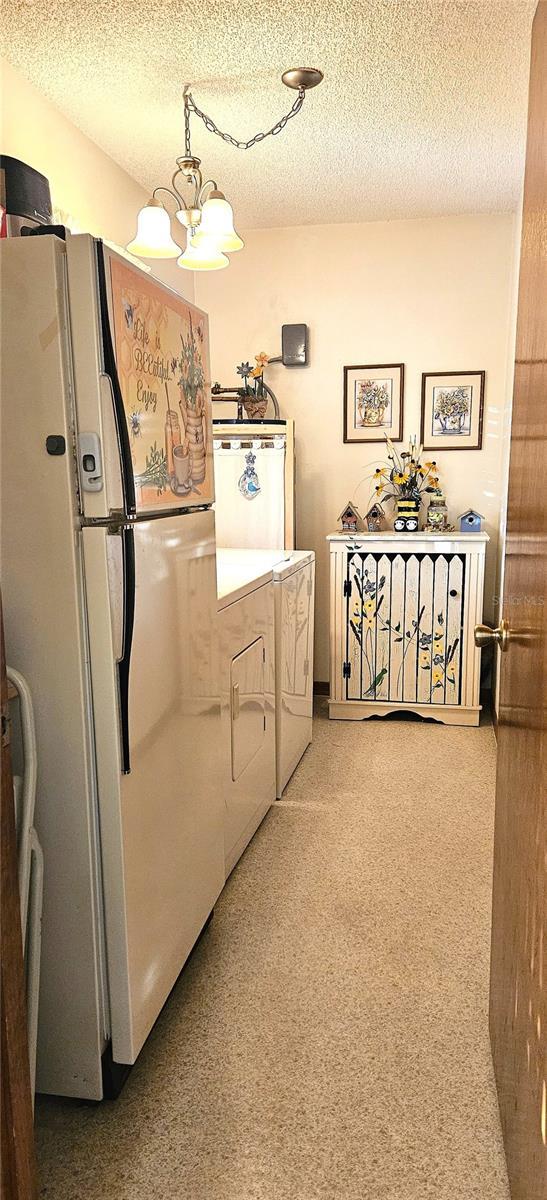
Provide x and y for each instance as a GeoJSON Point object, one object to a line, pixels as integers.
{"type": "Point", "coordinates": [294, 581]}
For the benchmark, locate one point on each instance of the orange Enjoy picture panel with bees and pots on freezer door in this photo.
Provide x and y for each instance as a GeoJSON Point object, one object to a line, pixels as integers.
{"type": "Point", "coordinates": [161, 349]}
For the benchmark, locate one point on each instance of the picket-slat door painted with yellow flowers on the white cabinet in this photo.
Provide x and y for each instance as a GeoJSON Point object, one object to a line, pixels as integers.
{"type": "Point", "coordinates": [405, 619]}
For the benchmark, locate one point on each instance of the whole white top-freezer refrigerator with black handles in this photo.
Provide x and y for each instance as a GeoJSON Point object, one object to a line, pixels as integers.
{"type": "Point", "coordinates": [110, 604]}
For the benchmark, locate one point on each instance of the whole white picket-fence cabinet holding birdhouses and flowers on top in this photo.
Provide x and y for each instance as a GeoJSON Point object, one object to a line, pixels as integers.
{"type": "Point", "coordinates": [402, 616]}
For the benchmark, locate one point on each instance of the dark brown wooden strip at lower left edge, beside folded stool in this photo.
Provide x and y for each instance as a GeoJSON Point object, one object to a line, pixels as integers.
{"type": "Point", "coordinates": [19, 1171]}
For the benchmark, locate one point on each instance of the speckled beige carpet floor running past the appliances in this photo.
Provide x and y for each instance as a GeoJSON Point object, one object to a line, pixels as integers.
{"type": "Point", "coordinates": [329, 1037]}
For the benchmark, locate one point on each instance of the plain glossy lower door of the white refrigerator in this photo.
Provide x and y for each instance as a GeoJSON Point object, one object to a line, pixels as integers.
{"type": "Point", "coordinates": [152, 601]}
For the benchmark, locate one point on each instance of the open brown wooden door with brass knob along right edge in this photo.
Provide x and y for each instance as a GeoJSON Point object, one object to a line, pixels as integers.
{"type": "Point", "coordinates": [519, 979]}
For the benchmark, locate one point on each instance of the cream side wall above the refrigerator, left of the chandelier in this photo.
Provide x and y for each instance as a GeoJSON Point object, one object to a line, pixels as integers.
{"type": "Point", "coordinates": [87, 185]}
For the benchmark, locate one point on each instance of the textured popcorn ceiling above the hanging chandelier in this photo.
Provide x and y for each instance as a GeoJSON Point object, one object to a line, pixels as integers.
{"type": "Point", "coordinates": [423, 110]}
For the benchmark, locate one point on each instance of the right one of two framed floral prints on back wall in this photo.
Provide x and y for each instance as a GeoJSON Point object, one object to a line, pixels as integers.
{"type": "Point", "coordinates": [453, 405]}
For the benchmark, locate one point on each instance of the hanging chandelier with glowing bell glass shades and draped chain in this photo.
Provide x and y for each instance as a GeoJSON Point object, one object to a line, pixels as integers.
{"type": "Point", "coordinates": [205, 213]}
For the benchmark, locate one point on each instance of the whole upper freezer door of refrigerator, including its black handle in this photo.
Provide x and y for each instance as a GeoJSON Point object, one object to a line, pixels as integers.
{"type": "Point", "coordinates": [143, 386]}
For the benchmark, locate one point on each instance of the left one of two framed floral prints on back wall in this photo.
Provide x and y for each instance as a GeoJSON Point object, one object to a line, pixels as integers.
{"type": "Point", "coordinates": [374, 403]}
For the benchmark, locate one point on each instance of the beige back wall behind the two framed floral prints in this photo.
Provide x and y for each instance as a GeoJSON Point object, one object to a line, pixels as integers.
{"type": "Point", "coordinates": [435, 295]}
